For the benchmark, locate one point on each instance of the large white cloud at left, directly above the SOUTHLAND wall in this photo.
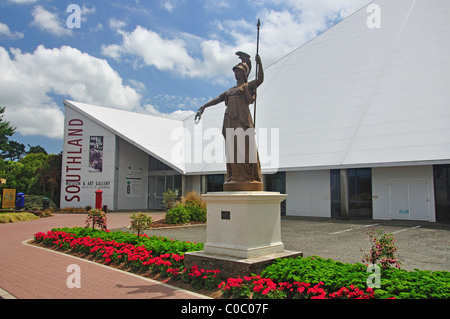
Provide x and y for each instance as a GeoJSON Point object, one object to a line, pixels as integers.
{"type": "Point", "coordinates": [28, 78]}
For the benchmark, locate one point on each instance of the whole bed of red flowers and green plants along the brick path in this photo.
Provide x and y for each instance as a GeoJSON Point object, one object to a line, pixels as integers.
{"type": "Point", "coordinates": [290, 278]}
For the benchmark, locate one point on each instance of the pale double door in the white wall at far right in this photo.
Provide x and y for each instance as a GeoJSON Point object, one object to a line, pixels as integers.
{"type": "Point", "coordinates": [409, 199]}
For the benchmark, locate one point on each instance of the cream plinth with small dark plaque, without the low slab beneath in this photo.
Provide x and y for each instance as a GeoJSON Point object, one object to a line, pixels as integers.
{"type": "Point", "coordinates": [243, 224]}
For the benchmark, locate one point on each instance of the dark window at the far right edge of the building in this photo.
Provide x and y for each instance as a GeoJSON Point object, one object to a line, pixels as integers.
{"type": "Point", "coordinates": [442, 192]}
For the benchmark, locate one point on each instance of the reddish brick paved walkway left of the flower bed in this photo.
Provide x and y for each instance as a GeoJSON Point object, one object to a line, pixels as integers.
{"type": "Point", "coordinates": [30, 272]}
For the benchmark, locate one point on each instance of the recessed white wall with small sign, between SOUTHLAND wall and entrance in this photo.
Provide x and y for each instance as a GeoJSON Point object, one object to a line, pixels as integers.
{"type": "Point", "coordinates": [133, 169]}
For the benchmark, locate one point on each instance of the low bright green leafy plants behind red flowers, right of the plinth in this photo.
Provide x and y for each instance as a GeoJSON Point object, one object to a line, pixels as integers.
{"type": "Point", "coordinates": [395, 283]}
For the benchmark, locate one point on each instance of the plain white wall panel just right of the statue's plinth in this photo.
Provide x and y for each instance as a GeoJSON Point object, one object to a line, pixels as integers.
{"type": "Point", "coordinates": [308, 193]}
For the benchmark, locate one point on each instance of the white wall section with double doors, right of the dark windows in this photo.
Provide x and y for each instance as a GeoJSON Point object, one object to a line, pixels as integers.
{"type": "Point", "coordinates": [403, 193]}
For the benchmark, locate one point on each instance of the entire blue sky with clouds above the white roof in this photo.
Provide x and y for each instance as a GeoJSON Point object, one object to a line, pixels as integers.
{"type": "Point", "coordinates": [161, 57]}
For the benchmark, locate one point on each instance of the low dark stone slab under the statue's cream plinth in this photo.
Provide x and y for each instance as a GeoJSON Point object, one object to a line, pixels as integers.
{"type": "Point", "coordinates": [231, 267]}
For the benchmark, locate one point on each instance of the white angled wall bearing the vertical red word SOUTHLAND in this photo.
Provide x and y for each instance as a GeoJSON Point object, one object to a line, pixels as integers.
{"type": "Point", "coordinates": [78, 184]}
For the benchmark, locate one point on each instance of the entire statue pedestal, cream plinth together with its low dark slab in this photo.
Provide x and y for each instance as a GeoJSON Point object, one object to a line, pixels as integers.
{"type": "Point", "coordinates": [243, 232]}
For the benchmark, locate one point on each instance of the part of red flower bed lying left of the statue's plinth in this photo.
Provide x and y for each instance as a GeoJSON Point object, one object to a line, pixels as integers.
{"type": "Point", "coordinates": [141, 254]}
